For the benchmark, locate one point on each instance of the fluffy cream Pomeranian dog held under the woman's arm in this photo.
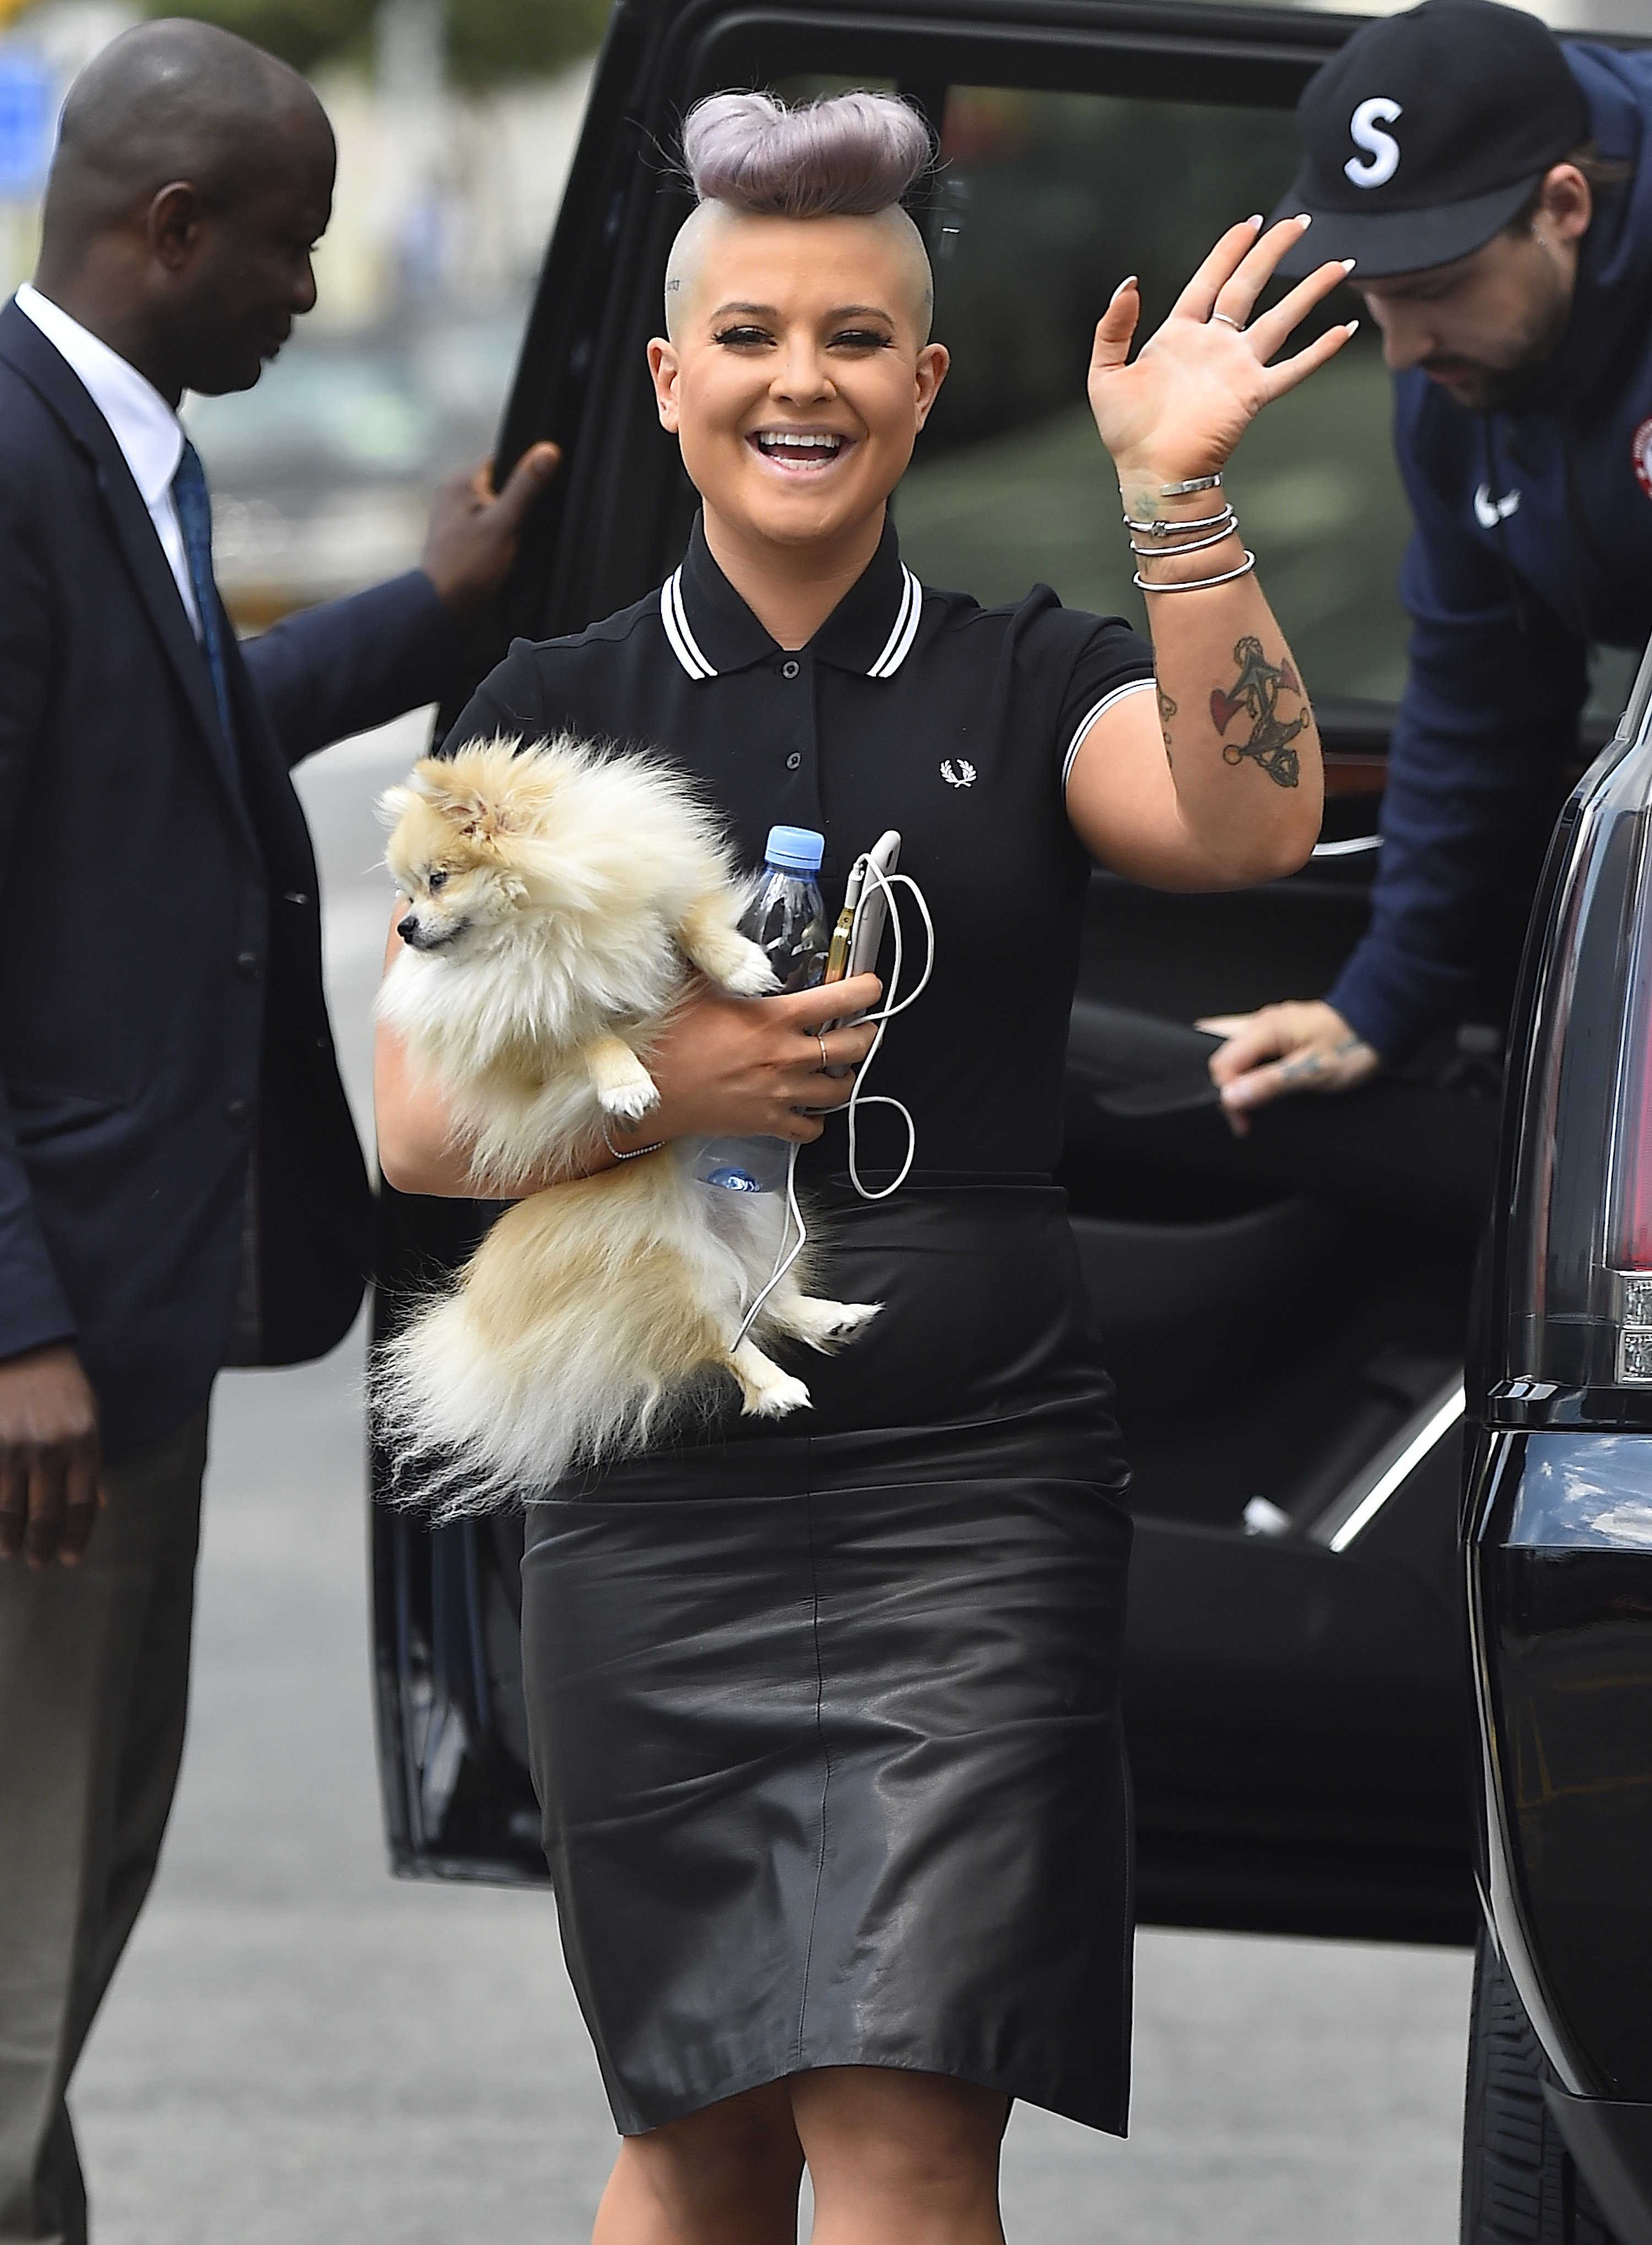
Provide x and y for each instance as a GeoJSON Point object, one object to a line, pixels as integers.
{"type": "Point", "coordinates": [558, 899]}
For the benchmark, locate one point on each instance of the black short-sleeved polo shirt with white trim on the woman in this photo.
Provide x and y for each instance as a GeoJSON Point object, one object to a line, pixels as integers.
{"type": "Point", "coordinates": [910, 708]}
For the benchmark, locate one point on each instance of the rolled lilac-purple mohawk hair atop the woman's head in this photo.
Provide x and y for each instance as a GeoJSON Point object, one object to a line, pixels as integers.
{"type": "Point", "coordinates": [845, 156]}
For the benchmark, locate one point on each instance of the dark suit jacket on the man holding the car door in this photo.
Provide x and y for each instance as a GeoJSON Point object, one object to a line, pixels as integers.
{"type": "Point", "coordinates": [160, 935]}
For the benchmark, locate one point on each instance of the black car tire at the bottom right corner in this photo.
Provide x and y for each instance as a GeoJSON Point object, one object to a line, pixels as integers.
{"type": "Point", "coordinates": [1521, 2183]}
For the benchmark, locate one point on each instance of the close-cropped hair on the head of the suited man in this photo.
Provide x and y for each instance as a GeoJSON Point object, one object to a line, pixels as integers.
{"type": "Point", "coordinates": [169, 102]}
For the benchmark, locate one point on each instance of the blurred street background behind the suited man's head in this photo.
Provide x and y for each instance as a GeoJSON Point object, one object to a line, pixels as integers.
{"type": "Point", "coordinates": [455, 140]}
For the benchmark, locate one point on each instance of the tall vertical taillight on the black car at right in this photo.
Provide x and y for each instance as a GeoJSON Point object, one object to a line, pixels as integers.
{"type": "Point", "coordinates": [1581, 1213]}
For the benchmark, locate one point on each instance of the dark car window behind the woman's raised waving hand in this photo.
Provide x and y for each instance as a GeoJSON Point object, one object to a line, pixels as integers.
{"type": "Point", "coordinates": [1043, 205]}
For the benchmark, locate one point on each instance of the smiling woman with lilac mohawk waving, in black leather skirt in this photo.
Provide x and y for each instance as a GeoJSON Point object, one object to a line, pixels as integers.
{"type": "Point", "coordinates": [825, 1719]}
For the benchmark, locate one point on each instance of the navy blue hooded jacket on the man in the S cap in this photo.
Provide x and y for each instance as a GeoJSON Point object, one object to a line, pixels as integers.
{"type": "Point", "coordinates": [1532, 540]}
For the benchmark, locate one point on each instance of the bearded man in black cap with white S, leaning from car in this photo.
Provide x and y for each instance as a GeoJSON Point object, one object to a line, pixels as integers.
{"type": "Point", "coordinates": [1496, 190]}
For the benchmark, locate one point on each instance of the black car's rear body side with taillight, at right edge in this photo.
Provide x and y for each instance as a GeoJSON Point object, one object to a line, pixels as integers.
{"type": "Point", "coordinates": [1559, 1503]}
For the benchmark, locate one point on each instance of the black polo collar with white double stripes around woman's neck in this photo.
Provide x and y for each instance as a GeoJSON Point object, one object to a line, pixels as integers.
{"type": "Point", "coordinates": [713, 630]}
